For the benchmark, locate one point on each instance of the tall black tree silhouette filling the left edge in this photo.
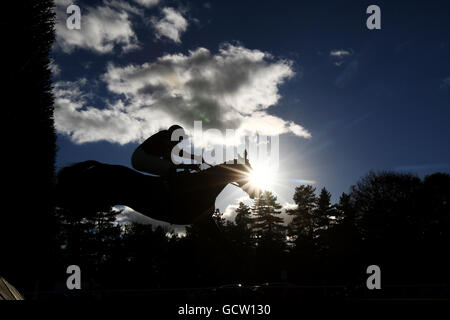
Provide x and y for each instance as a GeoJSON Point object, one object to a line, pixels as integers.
{"type": "Point", "coordinates": [28, 227]}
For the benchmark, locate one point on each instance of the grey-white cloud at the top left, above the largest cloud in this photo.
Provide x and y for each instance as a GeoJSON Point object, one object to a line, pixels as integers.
{"type": "Point", "coordinates": [102, 28]}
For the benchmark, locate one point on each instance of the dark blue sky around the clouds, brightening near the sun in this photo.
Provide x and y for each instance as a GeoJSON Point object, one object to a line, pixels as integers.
{"type": "Point", "coordinates": [385, 107]}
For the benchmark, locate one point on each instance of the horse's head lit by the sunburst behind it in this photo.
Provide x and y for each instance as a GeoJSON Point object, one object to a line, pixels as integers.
{"type": "Point", "coordinates": [240, 170]}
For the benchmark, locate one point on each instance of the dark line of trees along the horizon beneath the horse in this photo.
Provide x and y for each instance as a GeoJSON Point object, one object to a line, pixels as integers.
{"type": "Point", "coordinates": [394, 220]}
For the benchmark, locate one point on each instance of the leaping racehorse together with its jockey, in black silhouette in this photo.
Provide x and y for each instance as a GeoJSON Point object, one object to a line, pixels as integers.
{"type": "Point", "coordinates": [185, 197]}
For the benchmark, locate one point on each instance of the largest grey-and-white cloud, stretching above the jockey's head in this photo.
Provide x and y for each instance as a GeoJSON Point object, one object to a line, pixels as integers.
{"type": "Point", "coordinates": [232, 90]}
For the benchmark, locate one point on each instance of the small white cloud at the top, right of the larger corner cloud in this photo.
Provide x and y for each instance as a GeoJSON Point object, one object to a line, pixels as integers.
{"type": "Point", "coordinates": [171, 25]}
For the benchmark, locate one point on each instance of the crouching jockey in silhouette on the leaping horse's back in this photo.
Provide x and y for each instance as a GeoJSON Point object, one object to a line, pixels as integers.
{"type": "Point", "coordinates": [154, 154]}
